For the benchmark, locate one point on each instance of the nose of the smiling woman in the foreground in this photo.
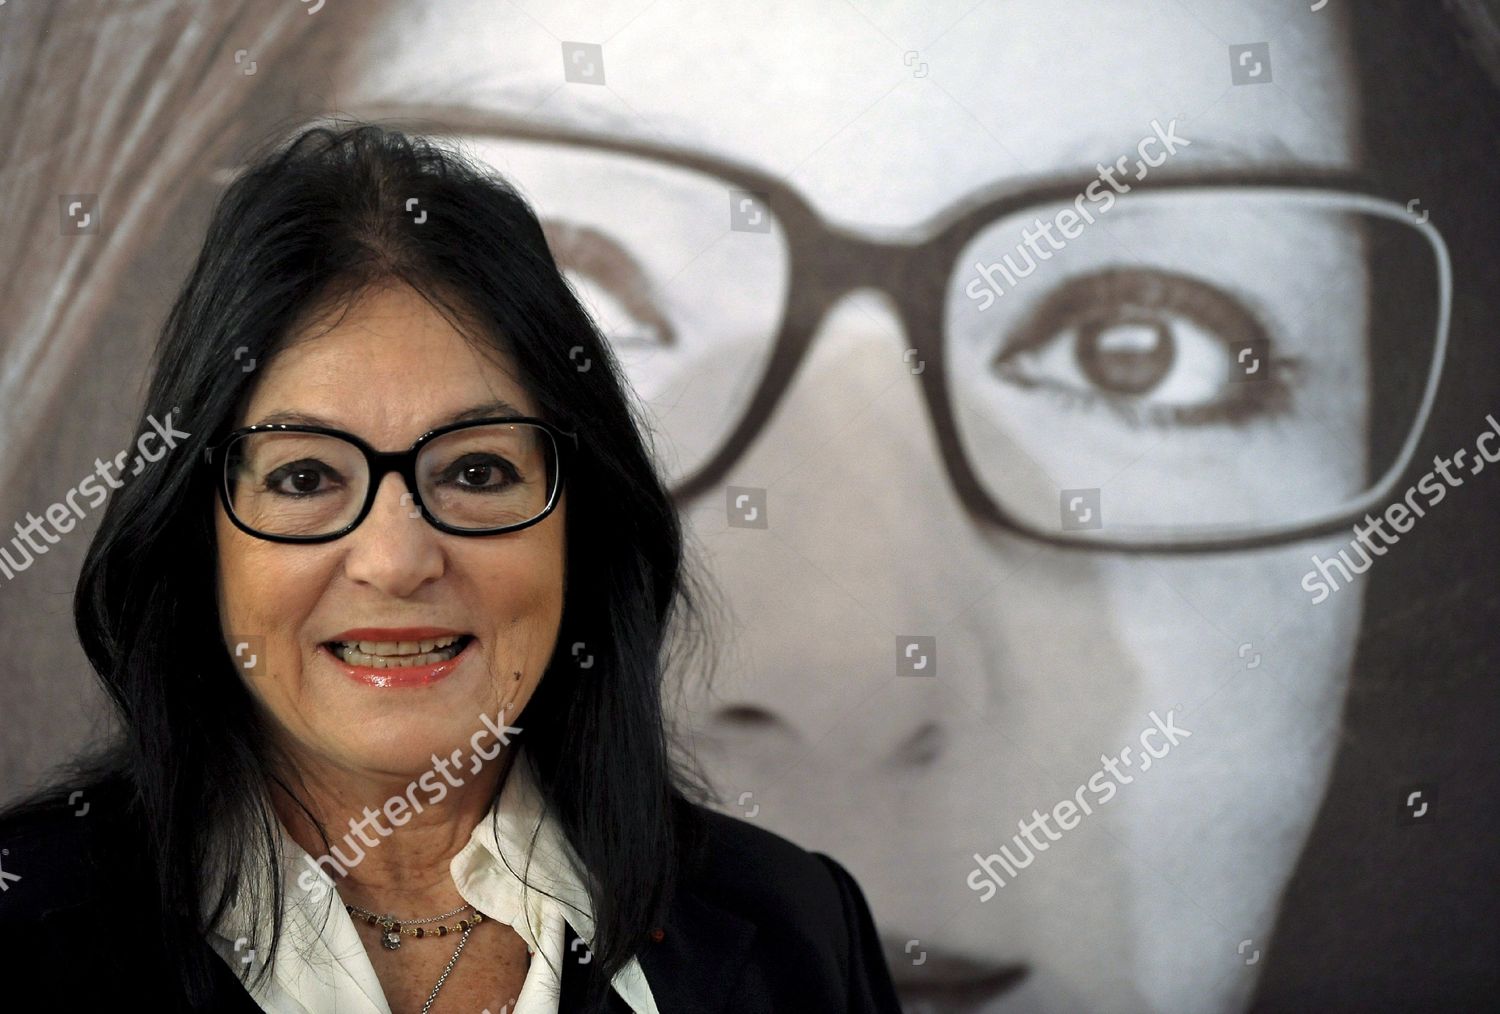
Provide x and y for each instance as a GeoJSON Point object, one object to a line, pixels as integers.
{"type": "Point", "coordinates": [394, 550]}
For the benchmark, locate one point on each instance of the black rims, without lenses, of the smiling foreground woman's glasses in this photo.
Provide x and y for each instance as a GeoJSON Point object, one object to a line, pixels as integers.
{"type": "Point", "coordinates": [404, 463]}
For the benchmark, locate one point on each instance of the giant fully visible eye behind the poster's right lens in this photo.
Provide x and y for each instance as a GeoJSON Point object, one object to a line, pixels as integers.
{"type": "Point", "coordinates": [1151, 346]}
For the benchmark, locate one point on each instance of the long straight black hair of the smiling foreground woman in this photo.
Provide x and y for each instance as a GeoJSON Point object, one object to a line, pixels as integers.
{"type": "Point", "coordinates": [310, 224]}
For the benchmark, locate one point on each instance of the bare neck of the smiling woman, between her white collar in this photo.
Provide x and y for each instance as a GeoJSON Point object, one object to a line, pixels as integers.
{"type": "Point", "coordinates": [385, 856]}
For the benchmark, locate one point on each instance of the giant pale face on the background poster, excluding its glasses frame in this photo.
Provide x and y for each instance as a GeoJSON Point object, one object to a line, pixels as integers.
{"type": "Point", "coordinates": [1046, 662]}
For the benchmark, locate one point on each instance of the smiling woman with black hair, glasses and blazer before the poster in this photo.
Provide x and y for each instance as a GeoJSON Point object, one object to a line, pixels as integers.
{"type": "Point", "coordinates": [364, 710]}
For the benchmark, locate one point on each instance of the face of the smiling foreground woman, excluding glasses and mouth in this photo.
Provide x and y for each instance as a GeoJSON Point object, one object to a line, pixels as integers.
{"type": "Point", "coordinates": [391, 371]}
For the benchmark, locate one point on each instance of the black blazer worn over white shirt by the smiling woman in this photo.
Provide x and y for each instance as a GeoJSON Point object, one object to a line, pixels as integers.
{"type": "Point", "coordinates": [758, 925]}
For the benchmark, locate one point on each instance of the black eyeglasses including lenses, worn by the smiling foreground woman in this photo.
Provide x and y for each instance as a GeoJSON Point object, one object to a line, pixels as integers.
{"type": "Point", "coordinates": [311, 484]}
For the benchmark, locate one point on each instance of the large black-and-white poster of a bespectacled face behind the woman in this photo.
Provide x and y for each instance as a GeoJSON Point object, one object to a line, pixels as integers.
{"type": "Point", "coordinates": [1082, 412]}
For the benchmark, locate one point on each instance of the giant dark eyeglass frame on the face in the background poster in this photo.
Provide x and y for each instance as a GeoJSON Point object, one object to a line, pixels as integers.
{"type": "Point", "coordinates": [826, 262]}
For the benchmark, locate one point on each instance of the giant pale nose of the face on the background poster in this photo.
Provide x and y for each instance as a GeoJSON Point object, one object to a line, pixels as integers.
{"type": "Point", "coordinates": [851, 605]}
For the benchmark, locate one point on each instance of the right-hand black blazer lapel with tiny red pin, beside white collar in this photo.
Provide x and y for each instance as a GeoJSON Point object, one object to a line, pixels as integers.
{"type": "Point", "coordinates": [692, 968]}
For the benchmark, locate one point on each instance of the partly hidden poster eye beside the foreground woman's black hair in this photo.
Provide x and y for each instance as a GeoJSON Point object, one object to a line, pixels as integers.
{"type": "Point", "coordinates": [611, 283]}
